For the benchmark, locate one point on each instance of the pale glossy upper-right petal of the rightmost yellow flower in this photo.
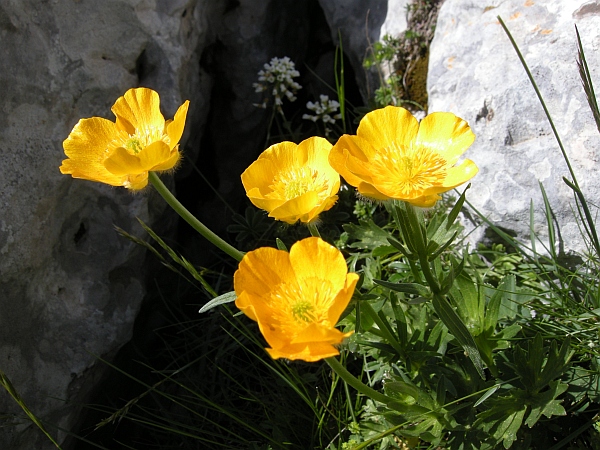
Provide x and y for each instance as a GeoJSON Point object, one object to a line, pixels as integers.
{"type": "Point", "coordinates": [447, 134]}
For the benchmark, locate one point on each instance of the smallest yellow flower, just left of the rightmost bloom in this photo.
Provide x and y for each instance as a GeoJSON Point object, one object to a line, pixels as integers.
{"type": "Point", "coordinates": [293, 182]}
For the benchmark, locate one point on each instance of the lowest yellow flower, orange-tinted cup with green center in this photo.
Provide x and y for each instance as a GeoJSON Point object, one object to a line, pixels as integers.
{"type": "Point", "coordinates": [296, 297]}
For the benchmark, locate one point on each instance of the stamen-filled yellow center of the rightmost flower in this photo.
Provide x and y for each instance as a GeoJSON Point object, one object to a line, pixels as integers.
{"type": "Point", "coordinates": [411, 169]}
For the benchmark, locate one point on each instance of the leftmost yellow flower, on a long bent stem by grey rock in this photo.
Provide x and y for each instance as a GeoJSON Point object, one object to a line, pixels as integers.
{"type": "Point", "coordinates": [122, 153]}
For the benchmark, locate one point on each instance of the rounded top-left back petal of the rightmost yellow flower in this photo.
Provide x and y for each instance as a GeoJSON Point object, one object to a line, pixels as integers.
{"type": "Point", "coordinates": [387, 126]}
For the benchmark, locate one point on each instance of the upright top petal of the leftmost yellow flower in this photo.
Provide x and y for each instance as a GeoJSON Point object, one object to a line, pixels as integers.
{"type": "Point", "coordinates": [138, 109]}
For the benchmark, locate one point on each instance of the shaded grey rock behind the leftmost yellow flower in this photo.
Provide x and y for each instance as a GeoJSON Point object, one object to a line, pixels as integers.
{"type": "Point", "coordinates": [71, 287]}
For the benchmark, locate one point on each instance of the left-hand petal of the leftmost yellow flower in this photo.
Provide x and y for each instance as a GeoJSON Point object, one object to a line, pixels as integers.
{"type": "Point", "coordinates": [86, 149]}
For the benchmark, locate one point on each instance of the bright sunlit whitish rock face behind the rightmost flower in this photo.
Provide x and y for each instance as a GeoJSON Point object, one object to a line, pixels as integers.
{"type": "Point", "coordinates": [475, 73]}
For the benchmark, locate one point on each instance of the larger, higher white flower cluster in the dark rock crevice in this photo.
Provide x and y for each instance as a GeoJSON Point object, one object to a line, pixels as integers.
{"type": "Point", "coordinates": [277, 77]}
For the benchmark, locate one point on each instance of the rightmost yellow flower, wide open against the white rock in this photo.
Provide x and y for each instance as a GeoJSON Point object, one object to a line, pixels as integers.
{"type": "Point", "coordinates": [394, 157]}
